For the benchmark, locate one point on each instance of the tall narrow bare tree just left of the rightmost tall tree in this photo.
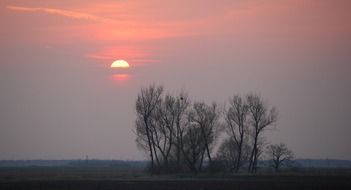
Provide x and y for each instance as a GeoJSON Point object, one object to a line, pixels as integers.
{"type": "Point", "coordinates": [237, 126]}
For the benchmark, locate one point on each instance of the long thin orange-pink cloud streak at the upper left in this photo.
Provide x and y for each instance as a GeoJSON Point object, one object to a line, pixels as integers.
{"type": "Point", "coordinates": [61, 12]}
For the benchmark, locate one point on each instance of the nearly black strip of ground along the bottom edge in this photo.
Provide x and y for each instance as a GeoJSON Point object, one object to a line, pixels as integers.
{"type": "Point", "coordinates": [244, 184]}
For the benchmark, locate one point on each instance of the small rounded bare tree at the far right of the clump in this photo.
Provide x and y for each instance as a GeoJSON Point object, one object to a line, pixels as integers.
{"type": "Point", "coordinates": [280, 155]}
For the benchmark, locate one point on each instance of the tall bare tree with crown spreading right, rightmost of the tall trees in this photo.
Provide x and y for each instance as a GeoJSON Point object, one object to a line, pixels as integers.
{"type": "Point", "coordinates": [261, 117]}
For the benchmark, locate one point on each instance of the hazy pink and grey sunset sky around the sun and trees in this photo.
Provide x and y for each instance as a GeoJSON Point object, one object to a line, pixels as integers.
{"type": "Point", "coordinates": [59, 98]}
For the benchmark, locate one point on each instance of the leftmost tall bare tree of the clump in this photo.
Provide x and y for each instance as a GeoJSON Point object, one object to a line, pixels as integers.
{"type": "Point", "coordinates": [146, 103]}
